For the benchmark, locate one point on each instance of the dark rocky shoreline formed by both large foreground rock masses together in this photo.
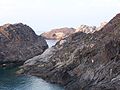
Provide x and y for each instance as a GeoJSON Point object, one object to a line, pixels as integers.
{"type": "Point", "coordinates": [80, 61]}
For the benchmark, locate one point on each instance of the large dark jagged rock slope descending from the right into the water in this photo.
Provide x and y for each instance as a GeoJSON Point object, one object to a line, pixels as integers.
{"type": "Point", "coordinates": [82, 61]}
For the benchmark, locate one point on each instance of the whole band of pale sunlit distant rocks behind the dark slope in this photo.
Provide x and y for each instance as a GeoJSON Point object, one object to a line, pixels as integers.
{"type": "Point", "coordinates": [57, 34]}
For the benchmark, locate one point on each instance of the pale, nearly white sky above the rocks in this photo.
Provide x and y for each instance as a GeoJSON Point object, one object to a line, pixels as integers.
{"type": "Point", "coordinates": [44, 15]}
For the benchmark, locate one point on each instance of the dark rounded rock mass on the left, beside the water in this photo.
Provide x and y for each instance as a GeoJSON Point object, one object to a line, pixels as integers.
{"type": "Point", "coordinates": [18, 42]}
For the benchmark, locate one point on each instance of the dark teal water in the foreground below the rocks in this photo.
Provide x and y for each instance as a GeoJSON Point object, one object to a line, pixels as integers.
{"type": "Point", "coordinates": [10, 81]}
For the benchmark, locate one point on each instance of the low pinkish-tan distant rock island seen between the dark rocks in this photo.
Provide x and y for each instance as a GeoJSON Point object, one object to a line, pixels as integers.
{"type": "Point", "coordinates": [57, 34]}
